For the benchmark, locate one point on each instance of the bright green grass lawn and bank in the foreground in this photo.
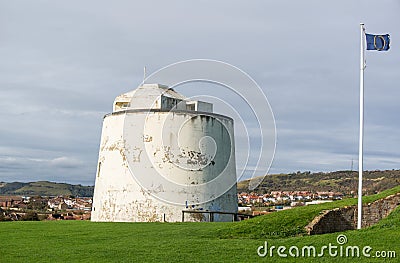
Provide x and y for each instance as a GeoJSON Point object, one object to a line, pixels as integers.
{"type": "Point", "coordinates": [83, 241]}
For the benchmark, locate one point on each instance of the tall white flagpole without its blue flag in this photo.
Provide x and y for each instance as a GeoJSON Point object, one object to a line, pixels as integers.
{"type": "Point", "coordinates": [360, 149]}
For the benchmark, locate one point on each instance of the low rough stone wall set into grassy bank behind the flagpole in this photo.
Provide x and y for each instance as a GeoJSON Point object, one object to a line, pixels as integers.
{"type": "Point", "coordinates": [345, 218]}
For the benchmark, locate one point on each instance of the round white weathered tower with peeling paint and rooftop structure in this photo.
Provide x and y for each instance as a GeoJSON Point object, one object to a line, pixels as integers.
{"type": "Point", "coordinates": [165, 158]}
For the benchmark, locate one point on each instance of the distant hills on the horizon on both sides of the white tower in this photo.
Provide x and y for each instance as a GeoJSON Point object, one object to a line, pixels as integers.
{"type": "Point", "coordinates": [340, 181]}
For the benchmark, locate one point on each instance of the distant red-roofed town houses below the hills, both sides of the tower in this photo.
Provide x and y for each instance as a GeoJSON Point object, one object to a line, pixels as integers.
{"type": "Point", "coordinates": [28, 208]}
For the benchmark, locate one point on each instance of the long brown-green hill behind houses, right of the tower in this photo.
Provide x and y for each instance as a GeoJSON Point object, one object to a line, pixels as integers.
{"type": "Point", "coordinates": [340, 181]}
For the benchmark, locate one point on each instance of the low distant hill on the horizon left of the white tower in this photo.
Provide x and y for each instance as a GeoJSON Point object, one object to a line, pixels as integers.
{"type": "Point", "coordinates": [45, 188]}
